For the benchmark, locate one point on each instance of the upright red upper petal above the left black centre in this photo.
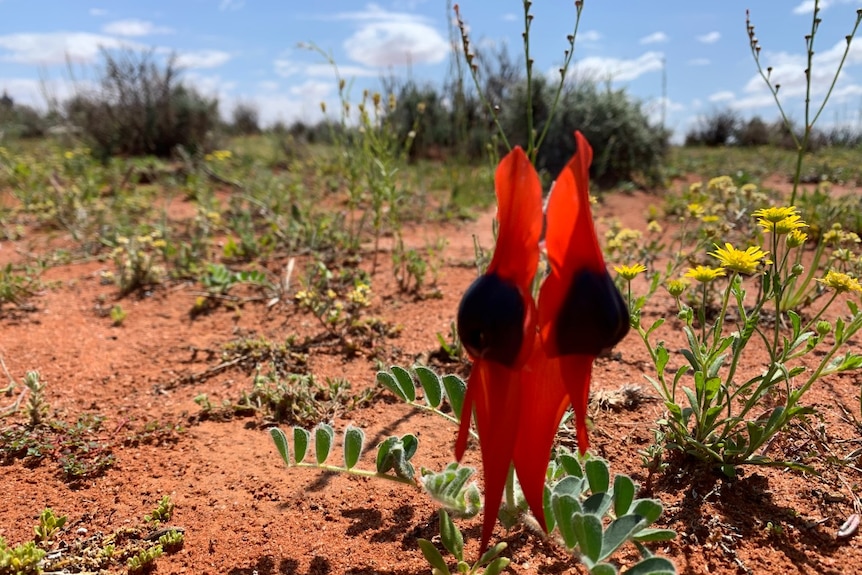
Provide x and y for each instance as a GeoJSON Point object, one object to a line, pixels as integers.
{"type": "Point", "coordinates": [519, 213]}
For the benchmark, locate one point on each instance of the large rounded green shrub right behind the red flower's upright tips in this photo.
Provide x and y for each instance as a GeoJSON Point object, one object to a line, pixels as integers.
{"type": "Point", "coordinates": [626, 146]}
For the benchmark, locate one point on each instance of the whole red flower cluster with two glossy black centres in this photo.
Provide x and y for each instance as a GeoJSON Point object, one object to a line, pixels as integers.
{"type": "Point", "coordinates": [531, 362]}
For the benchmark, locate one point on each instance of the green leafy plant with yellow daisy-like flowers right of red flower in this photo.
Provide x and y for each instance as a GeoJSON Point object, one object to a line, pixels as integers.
{"type": "Point", "coordinates": [719, 409]}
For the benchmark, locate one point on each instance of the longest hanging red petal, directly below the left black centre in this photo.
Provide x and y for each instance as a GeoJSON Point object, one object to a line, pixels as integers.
{"type": "Point", "coordinates": [497, 396]}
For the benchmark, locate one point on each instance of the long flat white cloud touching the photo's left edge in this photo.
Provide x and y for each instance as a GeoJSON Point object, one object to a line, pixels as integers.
{"type": "Point", "coordinates": [56, 47]}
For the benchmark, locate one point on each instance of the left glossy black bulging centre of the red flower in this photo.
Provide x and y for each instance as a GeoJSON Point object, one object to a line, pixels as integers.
{"type": "Point", "coordinates": [491, 320]}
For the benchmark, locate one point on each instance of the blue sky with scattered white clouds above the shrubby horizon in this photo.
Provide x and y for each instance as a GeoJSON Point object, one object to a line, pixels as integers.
{"type": "Point", "coordinates": [246, 50]}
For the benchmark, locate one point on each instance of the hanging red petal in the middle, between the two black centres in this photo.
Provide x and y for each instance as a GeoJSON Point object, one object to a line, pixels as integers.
{"type": "Point", "coordinates": [544, 400]}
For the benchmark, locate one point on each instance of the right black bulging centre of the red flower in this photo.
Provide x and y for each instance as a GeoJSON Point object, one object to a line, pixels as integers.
{"type": "Point", "coordinates": [593, 317]}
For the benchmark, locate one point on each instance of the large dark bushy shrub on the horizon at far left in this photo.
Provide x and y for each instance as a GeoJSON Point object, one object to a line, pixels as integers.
{"type": "Point", "coordinates": [141, 107]}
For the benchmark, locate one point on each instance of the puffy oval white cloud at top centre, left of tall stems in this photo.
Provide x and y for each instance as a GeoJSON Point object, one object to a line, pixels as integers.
{"type": "Point", "coordinates": [387, 38]}
